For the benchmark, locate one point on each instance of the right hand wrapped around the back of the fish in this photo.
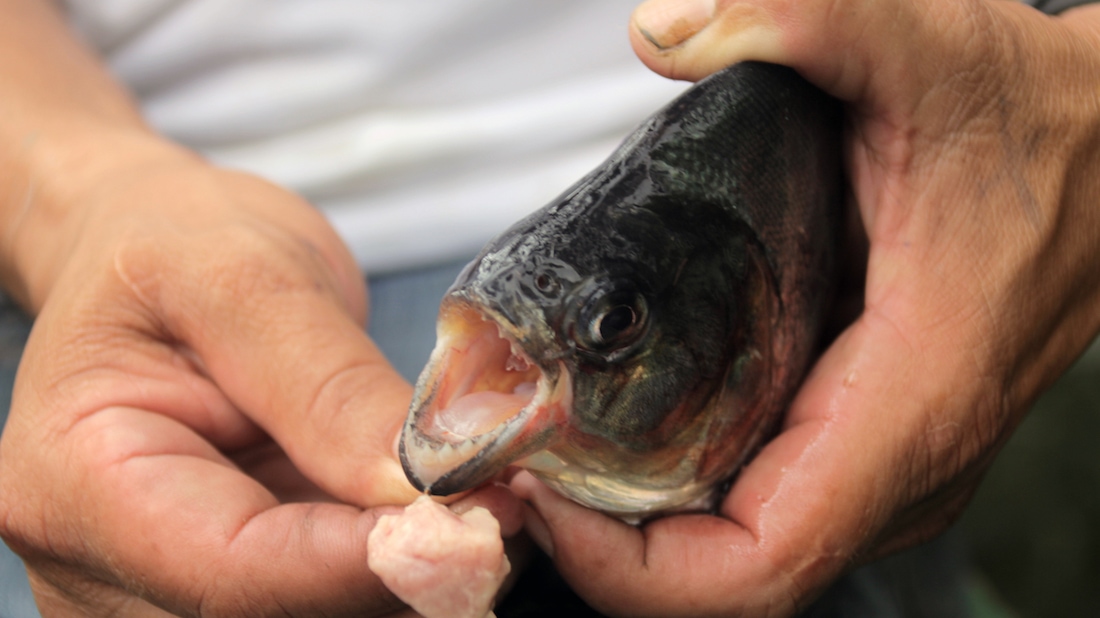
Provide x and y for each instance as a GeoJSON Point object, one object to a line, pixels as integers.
{"type": "Point", "coordinates": [974, 157]}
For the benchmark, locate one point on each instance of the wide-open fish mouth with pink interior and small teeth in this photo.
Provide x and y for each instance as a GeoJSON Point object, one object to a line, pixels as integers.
{"type": "Point", "coordinates": [481, 404]}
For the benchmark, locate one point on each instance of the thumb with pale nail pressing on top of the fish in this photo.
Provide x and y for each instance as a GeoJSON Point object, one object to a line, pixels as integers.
{"type": "Point", "coordinates": [845, 47]}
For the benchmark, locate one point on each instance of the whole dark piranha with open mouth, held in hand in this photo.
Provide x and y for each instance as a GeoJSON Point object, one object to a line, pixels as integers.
{"type": "Point", "coordinates": [636, 340]}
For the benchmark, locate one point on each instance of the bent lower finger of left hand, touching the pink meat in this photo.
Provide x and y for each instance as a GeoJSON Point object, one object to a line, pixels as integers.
{"type": "Point", "coordinates": [169, 518]}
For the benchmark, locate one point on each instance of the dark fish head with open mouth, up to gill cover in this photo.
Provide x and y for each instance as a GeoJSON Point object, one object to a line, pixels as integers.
{"type": "Point", "coordinates": [629, 380]}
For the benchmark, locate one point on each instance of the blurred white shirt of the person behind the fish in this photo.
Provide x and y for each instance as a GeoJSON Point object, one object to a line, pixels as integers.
{"type": "Point", "coordinates": [421, 128]}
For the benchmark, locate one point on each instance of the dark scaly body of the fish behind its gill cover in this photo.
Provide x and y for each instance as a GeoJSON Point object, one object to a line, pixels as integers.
{"type": "Point", "coordinates": [784, 137]}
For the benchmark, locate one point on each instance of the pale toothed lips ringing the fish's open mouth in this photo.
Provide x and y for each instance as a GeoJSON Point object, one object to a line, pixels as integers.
{"type": "Point", "coordinates": [477, 459]}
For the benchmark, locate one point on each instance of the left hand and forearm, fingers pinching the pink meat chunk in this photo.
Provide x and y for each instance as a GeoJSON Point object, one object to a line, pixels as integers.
{"type": "Point", "coordinates": [200, 425]}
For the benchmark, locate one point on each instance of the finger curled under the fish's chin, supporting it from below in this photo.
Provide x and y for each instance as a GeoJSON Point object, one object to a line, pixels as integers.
{"type": "Point", "coordinates": [680, 566]}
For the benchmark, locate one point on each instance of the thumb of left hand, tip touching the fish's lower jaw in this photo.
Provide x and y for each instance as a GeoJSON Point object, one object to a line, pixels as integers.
{"type": "Point", "coordinates": [266, 314]}
